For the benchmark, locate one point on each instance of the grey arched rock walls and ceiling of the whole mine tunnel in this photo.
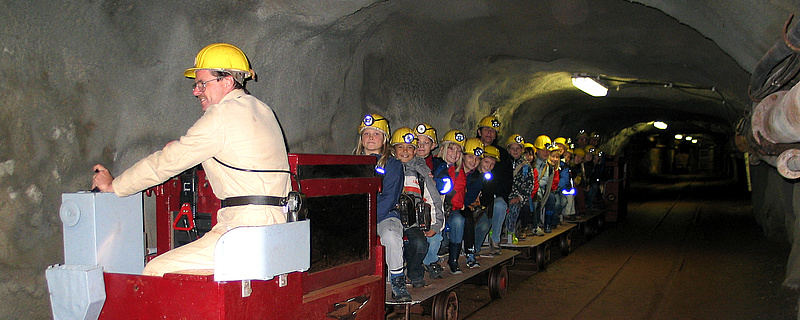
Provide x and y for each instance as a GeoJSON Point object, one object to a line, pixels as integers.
{"type": "Point", "coordinates": [101, 82]}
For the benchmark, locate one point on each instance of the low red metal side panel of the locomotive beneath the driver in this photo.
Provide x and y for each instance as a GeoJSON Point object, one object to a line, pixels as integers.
{"type": "Point", "coordinates": [198, 297]}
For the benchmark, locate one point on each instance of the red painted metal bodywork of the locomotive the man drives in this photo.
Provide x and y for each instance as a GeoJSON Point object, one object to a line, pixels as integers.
{"type": "Point", "coordinates": [353, 288]}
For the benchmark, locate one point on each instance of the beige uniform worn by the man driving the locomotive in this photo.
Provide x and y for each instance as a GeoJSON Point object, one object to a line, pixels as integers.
{"type": "Point", "coordinates": [240, 131]}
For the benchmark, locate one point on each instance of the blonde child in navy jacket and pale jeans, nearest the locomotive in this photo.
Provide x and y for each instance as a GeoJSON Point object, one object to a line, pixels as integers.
{"type": "Point", "coordinates": [373, 140]}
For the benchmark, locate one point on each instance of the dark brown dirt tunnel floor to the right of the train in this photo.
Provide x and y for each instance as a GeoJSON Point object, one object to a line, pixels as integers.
{"type": "Point", "coordinates": [689, 250]}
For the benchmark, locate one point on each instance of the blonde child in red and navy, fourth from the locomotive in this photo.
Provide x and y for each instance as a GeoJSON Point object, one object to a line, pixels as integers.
{"type": "Point", "coordinates": [448, 171]}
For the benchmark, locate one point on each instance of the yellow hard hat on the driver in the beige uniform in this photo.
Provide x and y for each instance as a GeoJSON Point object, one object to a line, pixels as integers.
{"type": "Point", "coordinates": [220, 57]}
